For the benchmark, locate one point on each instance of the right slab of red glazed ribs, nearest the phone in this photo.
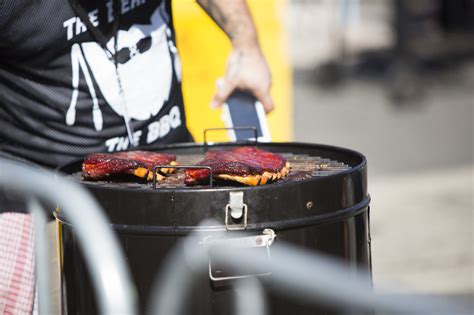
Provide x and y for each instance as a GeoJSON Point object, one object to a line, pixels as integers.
{"type": "Point", "coordinates": [246, 165]}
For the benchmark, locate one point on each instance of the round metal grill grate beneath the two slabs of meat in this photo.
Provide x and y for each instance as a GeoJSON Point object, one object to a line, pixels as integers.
{"type": "Point", "coordinates": [302, 167]}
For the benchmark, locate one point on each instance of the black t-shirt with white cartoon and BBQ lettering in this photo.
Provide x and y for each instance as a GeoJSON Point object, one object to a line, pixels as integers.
{"type": "Point", "coordinates": [59, 90]}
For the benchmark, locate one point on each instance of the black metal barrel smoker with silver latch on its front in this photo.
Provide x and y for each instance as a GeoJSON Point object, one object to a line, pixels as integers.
{"type": "Point", "coordinates": [322, 205]}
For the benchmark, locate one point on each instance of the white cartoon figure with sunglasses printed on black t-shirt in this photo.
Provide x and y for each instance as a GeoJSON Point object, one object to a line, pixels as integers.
{"type": "Point", "coordinates": [144, 67]}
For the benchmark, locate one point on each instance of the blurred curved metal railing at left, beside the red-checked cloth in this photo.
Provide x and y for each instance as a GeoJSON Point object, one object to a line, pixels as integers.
{"type": "Point", "coordinates": [110, 275]}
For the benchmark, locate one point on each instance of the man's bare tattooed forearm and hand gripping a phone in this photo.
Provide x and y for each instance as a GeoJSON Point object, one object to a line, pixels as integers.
{"type": "Point", "coordinates": [247, 68]}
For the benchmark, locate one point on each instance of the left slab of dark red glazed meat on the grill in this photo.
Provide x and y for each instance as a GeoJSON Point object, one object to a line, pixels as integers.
{"type": "Point", "coordinates": [140, 163]}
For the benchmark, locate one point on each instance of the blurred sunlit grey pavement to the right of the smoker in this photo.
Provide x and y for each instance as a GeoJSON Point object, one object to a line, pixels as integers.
{"type": "Point", "coordinates": [420, 160]}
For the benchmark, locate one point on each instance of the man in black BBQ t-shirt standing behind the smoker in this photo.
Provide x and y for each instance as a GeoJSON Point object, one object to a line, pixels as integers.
{"type": "Point", "coordinates": [88, 76]}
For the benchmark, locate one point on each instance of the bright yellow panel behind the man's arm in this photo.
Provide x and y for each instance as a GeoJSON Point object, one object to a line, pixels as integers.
{"type": "Point", "coordinates": [204, 49]}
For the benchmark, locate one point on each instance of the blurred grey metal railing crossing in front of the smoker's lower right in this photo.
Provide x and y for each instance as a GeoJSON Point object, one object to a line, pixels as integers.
{"type": "Point", "coordinates": [305, 276]}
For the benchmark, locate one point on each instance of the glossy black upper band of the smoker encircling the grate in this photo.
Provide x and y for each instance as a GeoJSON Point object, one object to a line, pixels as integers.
{"type": "Point", "coordinates": [279, 203]}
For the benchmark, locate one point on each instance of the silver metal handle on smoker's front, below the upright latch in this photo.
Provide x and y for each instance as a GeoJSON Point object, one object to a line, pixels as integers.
{"type": "Point", "coordinates": [265, 240]}
